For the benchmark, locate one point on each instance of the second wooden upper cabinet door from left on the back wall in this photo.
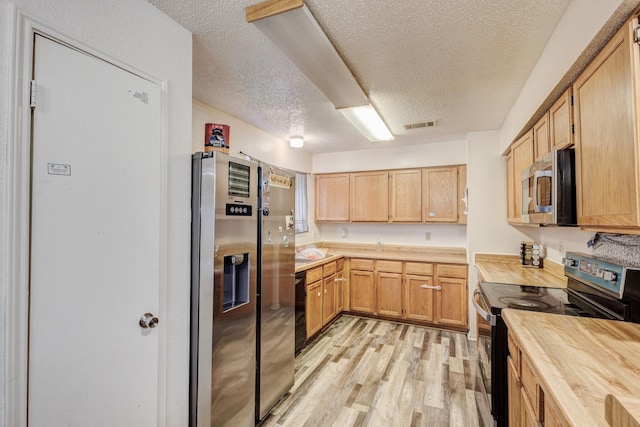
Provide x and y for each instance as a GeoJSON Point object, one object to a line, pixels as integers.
{"type": "Point", "coordinates": [370, 196]}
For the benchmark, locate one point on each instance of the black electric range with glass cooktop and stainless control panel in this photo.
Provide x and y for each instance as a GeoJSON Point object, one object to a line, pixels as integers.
{"type": "Point", "coordinates": [595, 288]}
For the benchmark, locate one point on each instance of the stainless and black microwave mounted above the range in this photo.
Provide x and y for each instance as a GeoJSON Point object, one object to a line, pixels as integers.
{"type": "Point", "coordinates": [549, 190]}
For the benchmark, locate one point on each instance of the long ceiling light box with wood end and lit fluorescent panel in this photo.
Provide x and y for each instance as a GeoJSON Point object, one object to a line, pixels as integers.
{"type": "Point", "coordinates": [292, 28]}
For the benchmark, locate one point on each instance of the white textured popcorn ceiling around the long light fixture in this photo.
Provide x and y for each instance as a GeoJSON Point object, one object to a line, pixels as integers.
{"type": "Point", "coordinates": [459, 62]}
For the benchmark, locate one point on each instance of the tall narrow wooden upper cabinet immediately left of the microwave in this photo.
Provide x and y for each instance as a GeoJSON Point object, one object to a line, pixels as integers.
{"type": "Point", "coordinates": [521, 158]}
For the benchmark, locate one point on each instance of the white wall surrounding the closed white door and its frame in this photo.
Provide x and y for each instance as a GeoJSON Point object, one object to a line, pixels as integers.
{"type": "Point", "coordinates": [136, 33]}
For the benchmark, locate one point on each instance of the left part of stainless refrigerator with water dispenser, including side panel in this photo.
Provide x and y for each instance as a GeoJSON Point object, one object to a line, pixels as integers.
{"type": "Point", "coordinates": [223, 287]}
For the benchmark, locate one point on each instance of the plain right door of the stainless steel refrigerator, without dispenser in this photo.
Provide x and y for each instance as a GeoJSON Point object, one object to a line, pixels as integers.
{"type": "Point", "coordinates": [276, 288]}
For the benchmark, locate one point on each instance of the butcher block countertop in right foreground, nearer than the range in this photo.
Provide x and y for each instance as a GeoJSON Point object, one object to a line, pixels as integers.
{"type": "Point", "coordinates": [579, 361]}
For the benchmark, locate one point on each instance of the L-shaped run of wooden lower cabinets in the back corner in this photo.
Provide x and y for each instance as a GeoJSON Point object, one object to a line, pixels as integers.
{"type": "Point", "coordinates": [431, 294]}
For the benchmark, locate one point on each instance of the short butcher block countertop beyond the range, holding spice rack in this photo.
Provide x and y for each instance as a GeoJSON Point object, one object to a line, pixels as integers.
{"type": "Point", "coordinates": [507, 269]}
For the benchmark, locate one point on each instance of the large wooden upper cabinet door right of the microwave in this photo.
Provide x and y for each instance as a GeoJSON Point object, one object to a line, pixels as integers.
{"type": "Point", "coordinates": [606, 145]}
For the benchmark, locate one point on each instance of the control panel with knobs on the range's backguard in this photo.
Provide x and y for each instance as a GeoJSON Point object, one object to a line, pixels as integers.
{"type": "Point", "coordinates": [605, 275]}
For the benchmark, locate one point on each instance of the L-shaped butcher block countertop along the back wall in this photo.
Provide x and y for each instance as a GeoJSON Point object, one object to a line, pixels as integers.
{"type": "Point", "coordinates": [440, 255]}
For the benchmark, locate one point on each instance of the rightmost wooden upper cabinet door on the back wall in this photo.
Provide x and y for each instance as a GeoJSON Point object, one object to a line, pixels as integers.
{"type": "Point", "coordinates": [440, 191]}
